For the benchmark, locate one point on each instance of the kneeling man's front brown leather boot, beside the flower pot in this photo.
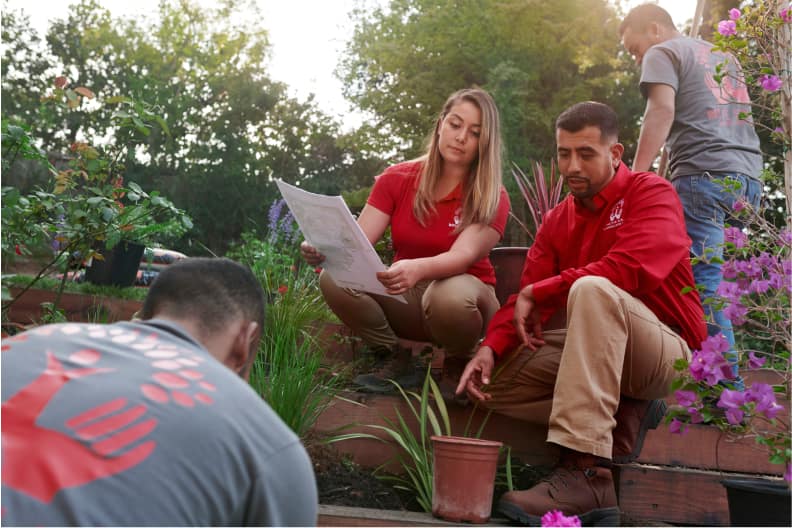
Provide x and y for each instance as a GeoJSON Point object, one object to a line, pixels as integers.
{"type": "Point", "coordinates": [588, 493]}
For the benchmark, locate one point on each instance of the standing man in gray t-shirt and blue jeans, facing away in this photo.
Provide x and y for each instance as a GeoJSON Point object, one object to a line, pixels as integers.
{"type": "Point", "coordinates": [699, 121]}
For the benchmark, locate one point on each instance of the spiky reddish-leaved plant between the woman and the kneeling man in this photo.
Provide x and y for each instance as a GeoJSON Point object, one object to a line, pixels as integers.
{"type": "Point", "coordinates": [541, 193]}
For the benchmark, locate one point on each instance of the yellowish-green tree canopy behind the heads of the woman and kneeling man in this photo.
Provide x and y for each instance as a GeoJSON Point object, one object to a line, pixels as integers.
{"type": "Point", "coordinates": [535, 57]}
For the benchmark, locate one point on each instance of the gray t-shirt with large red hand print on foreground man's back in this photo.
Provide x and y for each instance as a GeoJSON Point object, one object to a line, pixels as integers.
{"type": "Point", "coordinates": [137, 424]}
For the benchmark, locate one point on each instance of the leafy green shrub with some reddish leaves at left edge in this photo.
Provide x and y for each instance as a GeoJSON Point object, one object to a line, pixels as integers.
{"type": "Point", "coordinates": [87, 208]}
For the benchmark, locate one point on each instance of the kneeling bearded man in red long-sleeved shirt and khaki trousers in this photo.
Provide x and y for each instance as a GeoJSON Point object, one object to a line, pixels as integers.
{"type": "Point", "coordinates": [593, 334]}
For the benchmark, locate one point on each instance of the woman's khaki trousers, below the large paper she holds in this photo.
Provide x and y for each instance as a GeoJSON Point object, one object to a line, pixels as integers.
{"type": "Point", "coordinates": [452, 312]}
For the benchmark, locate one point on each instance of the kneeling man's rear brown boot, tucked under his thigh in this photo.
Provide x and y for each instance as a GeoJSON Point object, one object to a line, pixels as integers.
{"type": "Point", "coordinates": [633, 419]}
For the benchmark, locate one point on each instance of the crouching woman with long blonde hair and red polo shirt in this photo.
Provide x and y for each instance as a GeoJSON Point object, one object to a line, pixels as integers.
{"type": "Point", "coordinates": [447, 210]}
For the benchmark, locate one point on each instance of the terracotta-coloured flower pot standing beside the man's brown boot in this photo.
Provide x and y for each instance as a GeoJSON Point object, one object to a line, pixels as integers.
{"type": "Point", "coordinates": [464, 478]}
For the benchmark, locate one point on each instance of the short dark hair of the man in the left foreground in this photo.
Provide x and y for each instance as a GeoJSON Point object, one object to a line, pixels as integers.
{"type": "Point", "coordinates": [212, 291]}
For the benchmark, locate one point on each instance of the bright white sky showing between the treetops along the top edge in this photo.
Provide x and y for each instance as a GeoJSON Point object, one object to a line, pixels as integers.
{"type": "Point", "coordinates": [307, 37]}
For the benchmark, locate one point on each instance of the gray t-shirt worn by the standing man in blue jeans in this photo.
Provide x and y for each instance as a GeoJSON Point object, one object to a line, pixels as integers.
{"type": "Point", "coordinates": [707, 133]}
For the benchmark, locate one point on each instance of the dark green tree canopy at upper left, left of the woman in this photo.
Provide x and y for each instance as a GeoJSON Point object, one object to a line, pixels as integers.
{"type": "Point", "coordinates": [232, 128]}
